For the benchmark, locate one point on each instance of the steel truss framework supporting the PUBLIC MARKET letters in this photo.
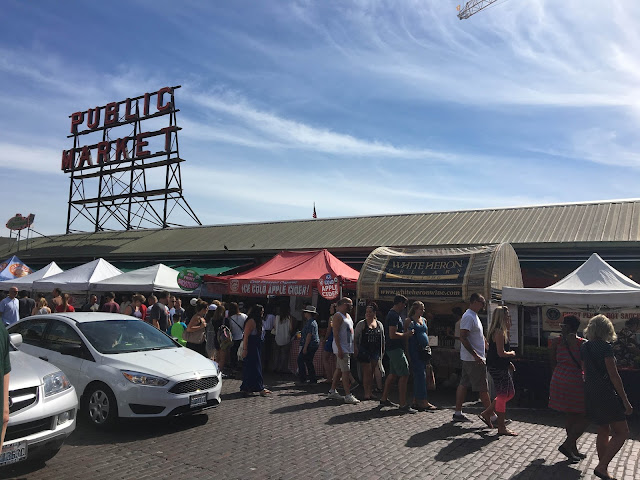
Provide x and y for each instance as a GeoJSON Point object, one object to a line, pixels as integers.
{"type": "Point", "coordinates": [143, 192]}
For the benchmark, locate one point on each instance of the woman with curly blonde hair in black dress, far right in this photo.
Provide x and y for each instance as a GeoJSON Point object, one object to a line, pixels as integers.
{"type": "Point", "coordinates": [606, 401]}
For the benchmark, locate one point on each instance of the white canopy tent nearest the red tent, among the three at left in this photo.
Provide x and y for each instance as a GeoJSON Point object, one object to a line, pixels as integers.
{"type": "Point", "coordinates": [153, 278]}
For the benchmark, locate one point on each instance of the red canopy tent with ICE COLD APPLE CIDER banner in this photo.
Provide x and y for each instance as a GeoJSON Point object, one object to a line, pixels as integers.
{"type": "Point", "coordinates": [288, 273]}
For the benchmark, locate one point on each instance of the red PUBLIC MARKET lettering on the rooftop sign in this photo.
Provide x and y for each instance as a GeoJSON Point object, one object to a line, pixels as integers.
{"type": "Point", "coordinates": [136, 145]}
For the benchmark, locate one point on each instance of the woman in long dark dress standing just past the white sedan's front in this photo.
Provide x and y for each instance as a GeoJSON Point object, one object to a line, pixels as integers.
{"type": "Point", "coordinates": [252, 347]}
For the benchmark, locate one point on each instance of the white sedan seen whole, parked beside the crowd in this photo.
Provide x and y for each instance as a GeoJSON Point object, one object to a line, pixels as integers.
{"type": "Point", "coordinates": [122, 366]}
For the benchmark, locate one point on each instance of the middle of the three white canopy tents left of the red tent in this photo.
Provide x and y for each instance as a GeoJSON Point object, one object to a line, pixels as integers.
{"type": "Point", "coordinates": [78, 279]}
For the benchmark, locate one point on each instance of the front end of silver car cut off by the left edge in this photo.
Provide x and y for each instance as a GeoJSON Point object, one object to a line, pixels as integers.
{"type": "Point", "coordinates": [42, 408]}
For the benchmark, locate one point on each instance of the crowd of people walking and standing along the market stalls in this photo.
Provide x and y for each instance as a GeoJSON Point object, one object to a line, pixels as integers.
{"type": "Point", "coordinates": [585, 384]}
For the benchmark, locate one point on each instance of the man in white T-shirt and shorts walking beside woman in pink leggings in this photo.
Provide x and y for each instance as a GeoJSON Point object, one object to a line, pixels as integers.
{"type": "Point", "coordinates": [473, 356]}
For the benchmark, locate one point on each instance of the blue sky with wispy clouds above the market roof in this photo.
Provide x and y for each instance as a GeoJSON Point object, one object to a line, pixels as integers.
{"type": "Point", "coordinates": [363, 107]}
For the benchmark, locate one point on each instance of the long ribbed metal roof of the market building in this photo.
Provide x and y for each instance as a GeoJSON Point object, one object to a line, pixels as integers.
{"type": "Point", "coordinates": [588, 224]}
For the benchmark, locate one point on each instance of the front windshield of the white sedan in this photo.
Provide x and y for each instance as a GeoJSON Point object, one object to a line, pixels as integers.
{"type": "Point", "coordinates": [124, 336]}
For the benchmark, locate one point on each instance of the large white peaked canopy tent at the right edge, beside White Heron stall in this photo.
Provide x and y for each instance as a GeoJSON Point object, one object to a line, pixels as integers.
{"type": "Point", "coordinates": [594, 284]}
